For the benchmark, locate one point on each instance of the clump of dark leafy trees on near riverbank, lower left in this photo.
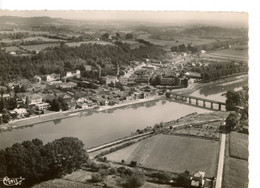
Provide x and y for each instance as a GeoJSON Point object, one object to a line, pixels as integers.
{"type": "Point", "coordinates": [37, 162]}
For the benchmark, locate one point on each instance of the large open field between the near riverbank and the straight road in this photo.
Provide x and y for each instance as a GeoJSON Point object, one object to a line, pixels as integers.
{"type": "Point", "coordinates": [172, 153]}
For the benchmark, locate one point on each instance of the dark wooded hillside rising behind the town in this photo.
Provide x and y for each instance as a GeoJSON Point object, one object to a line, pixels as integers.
{"type": "Point", "coordinates": [59, 59]}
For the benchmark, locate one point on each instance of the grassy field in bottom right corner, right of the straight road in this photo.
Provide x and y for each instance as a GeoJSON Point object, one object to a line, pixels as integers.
{"type": "Point", "coordinates": [235, 173]}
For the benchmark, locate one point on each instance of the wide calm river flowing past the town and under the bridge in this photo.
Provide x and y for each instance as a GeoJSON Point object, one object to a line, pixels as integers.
{"type": "Point", "coordinates": [101, 127]}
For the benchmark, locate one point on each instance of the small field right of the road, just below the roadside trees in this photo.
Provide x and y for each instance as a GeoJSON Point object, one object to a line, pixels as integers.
{"type": "Point", "coordinates": [238, 145]}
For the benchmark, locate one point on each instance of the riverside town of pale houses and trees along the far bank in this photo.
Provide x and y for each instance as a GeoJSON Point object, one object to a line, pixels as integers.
{"type": "Point", "coordinates": [77, 89]}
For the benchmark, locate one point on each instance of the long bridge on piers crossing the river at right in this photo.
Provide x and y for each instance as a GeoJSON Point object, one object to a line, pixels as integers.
{"type": "Point", "coordinates": [196, 101]}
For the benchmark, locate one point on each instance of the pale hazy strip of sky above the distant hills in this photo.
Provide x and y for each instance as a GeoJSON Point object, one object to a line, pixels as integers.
{"type": "Point", "coordinates": [227, 18]}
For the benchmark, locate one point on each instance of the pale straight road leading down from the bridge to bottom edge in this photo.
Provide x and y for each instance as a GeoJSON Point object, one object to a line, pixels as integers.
{"type": "Point", "coordinates": [221, 161]}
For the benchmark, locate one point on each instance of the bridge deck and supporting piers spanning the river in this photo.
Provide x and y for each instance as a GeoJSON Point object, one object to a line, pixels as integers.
{"type": "Point", "coordinates": [184, 98]}
